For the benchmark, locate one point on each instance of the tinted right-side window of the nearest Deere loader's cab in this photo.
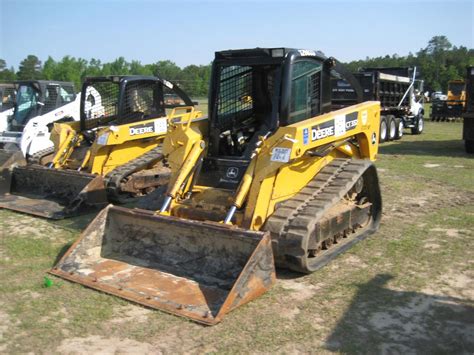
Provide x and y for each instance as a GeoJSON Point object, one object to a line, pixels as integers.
{"type": "Point", "coordinates": [305, 90]}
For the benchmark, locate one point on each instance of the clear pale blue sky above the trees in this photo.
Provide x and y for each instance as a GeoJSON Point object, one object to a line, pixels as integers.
{"type": "Point", "coordinates": [189, 32]}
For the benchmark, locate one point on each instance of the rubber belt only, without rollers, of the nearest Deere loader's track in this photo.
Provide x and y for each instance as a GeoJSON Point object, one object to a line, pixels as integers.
{"type": "Point", "coordinates": [294, 219]}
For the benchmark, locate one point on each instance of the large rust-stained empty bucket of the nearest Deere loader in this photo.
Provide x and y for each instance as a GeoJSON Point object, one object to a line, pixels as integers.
{"type": "Point", "coordinates": [199, 270]}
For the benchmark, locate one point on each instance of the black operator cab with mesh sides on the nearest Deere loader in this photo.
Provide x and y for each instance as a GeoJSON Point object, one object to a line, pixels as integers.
{"type": "Point", "coordinates": [253, 92]}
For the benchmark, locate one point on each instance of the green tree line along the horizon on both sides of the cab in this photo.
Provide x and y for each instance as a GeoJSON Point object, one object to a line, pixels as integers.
{"type": "Point", "coordinates": [437, 63]}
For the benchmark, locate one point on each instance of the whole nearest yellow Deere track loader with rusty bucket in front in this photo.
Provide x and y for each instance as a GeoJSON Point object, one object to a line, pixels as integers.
{"type": "Point", "coordinates": [272, 177]}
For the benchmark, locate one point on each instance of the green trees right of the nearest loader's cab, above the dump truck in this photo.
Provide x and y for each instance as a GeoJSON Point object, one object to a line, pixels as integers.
{"type": "Point", "coordinates": [437, 63]}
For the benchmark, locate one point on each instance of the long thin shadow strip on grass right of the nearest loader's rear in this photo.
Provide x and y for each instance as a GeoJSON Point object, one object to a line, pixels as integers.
{"type": "Point", "coordinates": [448, 148]}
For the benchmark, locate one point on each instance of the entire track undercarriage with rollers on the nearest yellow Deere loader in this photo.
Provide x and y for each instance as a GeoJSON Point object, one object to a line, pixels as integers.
{"type": "Point", "coordinates": [340, 207]}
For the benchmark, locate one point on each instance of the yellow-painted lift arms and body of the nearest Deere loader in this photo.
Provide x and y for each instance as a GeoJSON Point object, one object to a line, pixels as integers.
{"type": "Point", "coordinates": [267, 182]}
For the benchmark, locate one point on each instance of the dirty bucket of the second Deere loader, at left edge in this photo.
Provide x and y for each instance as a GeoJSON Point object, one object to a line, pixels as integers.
{"type": "Point", "coordinates": [50, 193]}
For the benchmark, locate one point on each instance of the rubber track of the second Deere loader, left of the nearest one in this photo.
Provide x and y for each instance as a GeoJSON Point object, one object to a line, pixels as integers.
{"type": "Point", "coordinates": [116, 176]}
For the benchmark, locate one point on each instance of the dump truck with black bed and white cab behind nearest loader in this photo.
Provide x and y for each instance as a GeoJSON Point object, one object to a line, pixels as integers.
{"type": "Point", "coordinates": [399, 92]}
